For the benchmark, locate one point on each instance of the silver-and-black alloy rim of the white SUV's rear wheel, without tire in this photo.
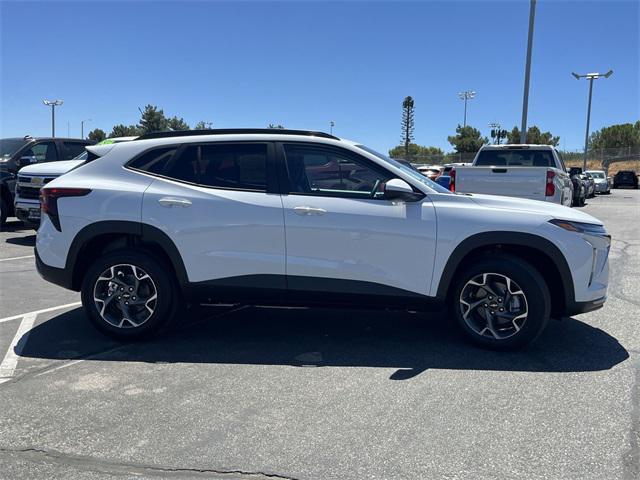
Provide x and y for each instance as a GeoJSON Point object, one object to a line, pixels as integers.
{"type": "Point", "coordinates": [125, 296]}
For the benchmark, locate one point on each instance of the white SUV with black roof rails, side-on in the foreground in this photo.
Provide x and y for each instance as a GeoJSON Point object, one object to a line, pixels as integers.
{"type": "Point", "coordinates": [294, 217]}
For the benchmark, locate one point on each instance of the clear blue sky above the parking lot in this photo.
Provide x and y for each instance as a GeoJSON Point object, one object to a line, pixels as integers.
{"type": "Point", "coordinates": [303, 64]}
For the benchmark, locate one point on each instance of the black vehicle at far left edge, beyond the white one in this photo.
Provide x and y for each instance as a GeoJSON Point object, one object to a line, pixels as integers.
{"type": "Point", "coordinates": [16, 153]}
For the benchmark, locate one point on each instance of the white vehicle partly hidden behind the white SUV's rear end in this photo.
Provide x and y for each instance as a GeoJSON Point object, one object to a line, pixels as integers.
{"type": "Point", "coordinates": [32, 177]}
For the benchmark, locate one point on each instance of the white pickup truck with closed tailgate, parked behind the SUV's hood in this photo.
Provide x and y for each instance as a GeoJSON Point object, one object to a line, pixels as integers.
{"type": "Point", "coordinates": [536, 172]}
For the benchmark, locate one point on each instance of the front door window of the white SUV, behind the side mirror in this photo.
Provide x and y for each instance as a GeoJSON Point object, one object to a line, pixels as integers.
{"type": "Point", "coordinates": [331, 172]}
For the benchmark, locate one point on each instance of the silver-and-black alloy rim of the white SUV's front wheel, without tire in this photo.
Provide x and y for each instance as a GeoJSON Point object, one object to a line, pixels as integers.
{"type": "Point", "coordinates": [493, 306]}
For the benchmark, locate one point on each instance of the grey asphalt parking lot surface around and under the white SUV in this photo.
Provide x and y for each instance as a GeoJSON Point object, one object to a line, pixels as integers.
{"type": "Point", "coordinates": [318, 394]}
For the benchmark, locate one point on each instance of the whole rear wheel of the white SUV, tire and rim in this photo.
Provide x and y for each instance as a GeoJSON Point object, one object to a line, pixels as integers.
{"type": "Point", "coordinates": [128, 294]}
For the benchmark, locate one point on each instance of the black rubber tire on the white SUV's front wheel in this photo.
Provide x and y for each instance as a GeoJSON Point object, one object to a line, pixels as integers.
{"type": "Point", "coordinates": [537, 302]}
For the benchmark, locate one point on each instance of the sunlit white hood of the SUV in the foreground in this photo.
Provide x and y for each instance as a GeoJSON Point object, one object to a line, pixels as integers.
{"type": "Point", "coordinates": [533, 206]}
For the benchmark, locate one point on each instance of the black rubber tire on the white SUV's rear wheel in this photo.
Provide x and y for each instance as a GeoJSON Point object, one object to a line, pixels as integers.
{"type": "Point", "coordinates": [164, 308]}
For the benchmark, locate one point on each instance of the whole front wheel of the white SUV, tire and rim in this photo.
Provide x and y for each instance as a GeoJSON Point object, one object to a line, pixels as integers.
{"type": "Point", "coordinates": [501, 302]}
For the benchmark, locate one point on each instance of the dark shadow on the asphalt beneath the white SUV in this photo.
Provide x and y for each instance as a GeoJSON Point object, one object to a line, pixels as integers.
{"type": "Point", "coordinates": [409, 343]}
